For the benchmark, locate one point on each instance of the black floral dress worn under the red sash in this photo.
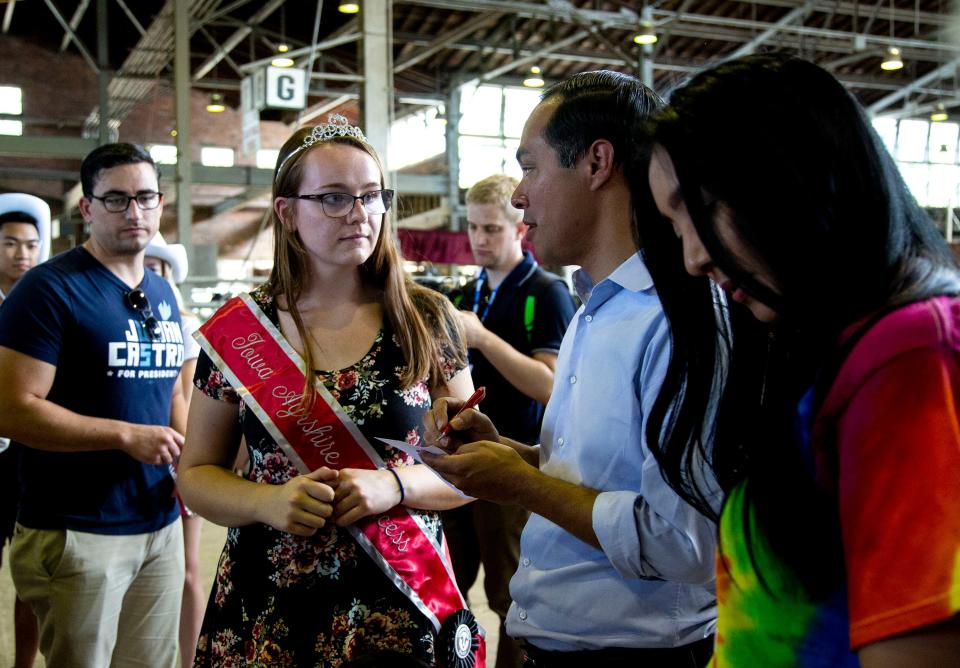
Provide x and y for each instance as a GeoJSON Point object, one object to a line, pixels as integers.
{"type": "Point", "coordinates": [286, 600]}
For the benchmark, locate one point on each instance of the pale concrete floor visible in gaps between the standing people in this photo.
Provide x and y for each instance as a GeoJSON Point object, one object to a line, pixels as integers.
{"type": "Point", "coordinates": [211, 543]}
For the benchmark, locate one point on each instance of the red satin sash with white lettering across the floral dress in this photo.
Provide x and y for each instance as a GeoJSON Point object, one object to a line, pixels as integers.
{"type": "Point", "coordinates": [269, 376]}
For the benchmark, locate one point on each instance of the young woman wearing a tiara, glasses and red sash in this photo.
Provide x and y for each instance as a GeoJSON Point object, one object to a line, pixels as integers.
{"type": "Point", "coordinates": [333, 551]}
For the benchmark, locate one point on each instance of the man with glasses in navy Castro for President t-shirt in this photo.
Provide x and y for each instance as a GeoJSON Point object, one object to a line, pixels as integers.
{"type": "Point", "coordinates": [90, 354]}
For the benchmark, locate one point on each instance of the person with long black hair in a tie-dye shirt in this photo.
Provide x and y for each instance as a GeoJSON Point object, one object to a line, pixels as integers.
{"type": "Point", "coordinates": [832, 356]}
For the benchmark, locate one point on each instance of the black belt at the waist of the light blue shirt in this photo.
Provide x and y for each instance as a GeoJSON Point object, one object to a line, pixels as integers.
{"type": "Point", "coordinates": [694, 655]}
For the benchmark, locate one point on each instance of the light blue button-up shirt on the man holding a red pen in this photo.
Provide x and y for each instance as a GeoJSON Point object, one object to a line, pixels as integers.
{"type": "Point", "coordinates": [652, 583]}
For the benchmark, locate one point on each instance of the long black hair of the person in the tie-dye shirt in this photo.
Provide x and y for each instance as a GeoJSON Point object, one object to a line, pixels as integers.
{"type": "Point", "coordinates": [814, 192]}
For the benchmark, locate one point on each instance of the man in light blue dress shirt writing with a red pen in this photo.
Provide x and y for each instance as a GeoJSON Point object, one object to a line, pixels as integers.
{"type": "Point", "coordinates": [615, 569]}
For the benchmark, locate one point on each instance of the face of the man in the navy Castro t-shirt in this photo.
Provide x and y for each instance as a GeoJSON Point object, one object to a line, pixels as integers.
{"type": "Point", "coordinates": [129, 231]}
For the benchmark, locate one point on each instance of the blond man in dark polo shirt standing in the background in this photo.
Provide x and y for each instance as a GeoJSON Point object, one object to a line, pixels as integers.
{"type": "Point", "coordinates": [514, 315]}
